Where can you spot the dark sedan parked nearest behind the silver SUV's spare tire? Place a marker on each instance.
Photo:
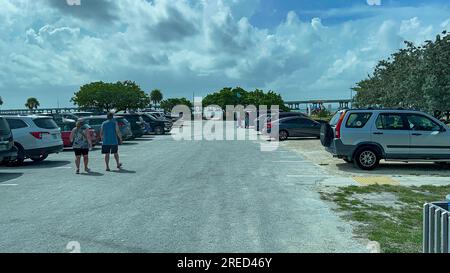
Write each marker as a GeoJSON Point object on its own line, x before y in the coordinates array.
{"type": "Point", "coordinates": [294, 127]}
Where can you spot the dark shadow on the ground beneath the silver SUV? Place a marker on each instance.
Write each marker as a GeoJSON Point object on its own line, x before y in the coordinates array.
{"type": "Point", "coordinates": [429, 169]}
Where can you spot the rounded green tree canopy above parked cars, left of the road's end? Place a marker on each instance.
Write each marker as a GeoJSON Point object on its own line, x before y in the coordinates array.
{"type": "Point", "coordinates": [121, 96]}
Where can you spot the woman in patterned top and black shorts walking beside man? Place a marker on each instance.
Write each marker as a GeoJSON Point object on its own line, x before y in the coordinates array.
{"type": "Point", "coordinates": [81, 143]}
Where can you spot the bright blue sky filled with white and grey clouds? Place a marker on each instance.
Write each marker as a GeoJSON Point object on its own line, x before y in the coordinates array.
{"type": "Point", "coordinates": [303, 49]}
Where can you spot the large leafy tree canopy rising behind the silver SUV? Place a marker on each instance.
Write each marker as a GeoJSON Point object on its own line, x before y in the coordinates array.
{"type": "Point", "coordinates": [414, 77]}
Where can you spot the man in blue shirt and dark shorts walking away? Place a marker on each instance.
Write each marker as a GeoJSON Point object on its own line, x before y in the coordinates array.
{"type": "Point", "coordinates": [111, 138]}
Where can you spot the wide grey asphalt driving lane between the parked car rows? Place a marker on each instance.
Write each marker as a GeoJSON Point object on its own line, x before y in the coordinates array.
{"type": "Point", "coordinates": [173, 196]}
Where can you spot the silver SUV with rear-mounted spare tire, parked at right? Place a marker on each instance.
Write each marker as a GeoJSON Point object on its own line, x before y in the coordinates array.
{"type": "Point", "coordinates": [367, 136]}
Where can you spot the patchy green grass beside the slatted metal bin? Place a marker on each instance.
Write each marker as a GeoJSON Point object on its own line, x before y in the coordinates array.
{"type": "Point", "coordinates": [397, 224]}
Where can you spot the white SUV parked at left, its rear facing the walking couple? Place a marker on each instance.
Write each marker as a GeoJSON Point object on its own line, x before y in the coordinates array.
{"type": "Point", "coordinates": [35, 137]}
